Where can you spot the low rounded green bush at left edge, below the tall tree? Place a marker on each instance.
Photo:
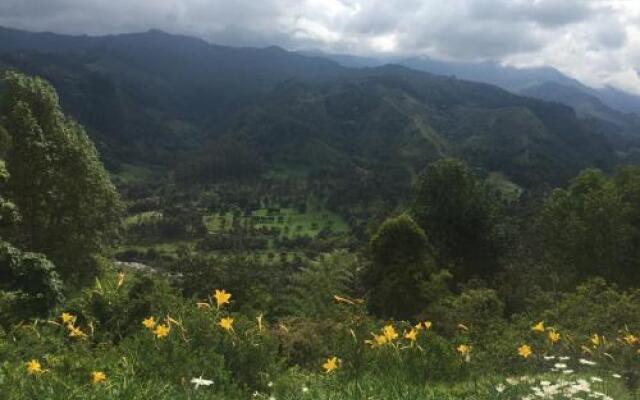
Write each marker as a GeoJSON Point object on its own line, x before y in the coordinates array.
{"type": "Point", "coordinates": [29, 284]}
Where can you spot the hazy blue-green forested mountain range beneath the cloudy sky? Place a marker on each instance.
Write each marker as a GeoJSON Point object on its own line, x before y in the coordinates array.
{"type": "Point", "coordinates": [181, 103]}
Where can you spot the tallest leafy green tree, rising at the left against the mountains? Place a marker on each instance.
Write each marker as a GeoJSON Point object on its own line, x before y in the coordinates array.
{"type": "Point", "coordinates": [68, 205]}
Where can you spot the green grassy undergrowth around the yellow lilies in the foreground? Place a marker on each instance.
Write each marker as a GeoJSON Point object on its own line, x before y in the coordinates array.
{"type": "Point", "coordinates": [246, 361]}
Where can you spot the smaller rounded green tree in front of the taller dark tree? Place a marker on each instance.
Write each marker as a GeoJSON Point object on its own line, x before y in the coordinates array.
{"type": "Point", "coordinates": [401, 266]}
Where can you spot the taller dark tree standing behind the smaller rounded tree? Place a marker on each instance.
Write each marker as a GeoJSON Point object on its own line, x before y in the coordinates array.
{"type": "Point", "coordinates": [459, 215]}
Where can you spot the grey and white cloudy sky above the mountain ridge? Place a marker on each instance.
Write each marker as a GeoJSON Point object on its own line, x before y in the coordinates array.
{"type": "Point", "coordinates": [596, 41]}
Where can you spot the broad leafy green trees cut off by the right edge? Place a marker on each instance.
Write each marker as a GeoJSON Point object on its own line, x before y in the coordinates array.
{"type": "Point", "coordinates": [591, 228]}
